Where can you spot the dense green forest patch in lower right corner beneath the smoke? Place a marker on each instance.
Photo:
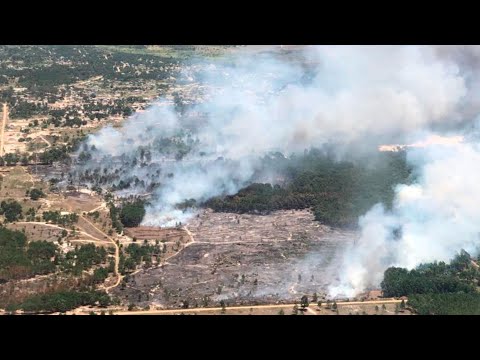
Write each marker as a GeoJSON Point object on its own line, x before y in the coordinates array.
{"type": "Point", "coordinates": [437, 288]}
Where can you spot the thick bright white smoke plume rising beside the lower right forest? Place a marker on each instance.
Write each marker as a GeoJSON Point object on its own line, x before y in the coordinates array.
{"type": "Point", "coordinates": [434, 218]}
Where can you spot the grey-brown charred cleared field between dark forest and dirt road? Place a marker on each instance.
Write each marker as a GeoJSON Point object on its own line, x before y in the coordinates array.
{"type": "Point", "coordinates": [243, 259]}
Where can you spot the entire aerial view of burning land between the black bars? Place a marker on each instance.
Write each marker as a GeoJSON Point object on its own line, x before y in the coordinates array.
{"type": "Point", "coordinates": [239, 180]}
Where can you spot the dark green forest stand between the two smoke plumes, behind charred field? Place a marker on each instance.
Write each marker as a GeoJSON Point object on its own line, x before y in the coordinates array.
{"type": "Point", "coordinates": [338, 192]}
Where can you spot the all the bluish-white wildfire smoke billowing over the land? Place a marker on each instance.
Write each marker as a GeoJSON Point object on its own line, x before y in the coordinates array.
{"type": "Point", "coordinates": [356, 97]}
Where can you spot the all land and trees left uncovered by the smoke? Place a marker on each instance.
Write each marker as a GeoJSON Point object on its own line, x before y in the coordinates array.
{"type": "Point", "coordinates": [81, 249]}
